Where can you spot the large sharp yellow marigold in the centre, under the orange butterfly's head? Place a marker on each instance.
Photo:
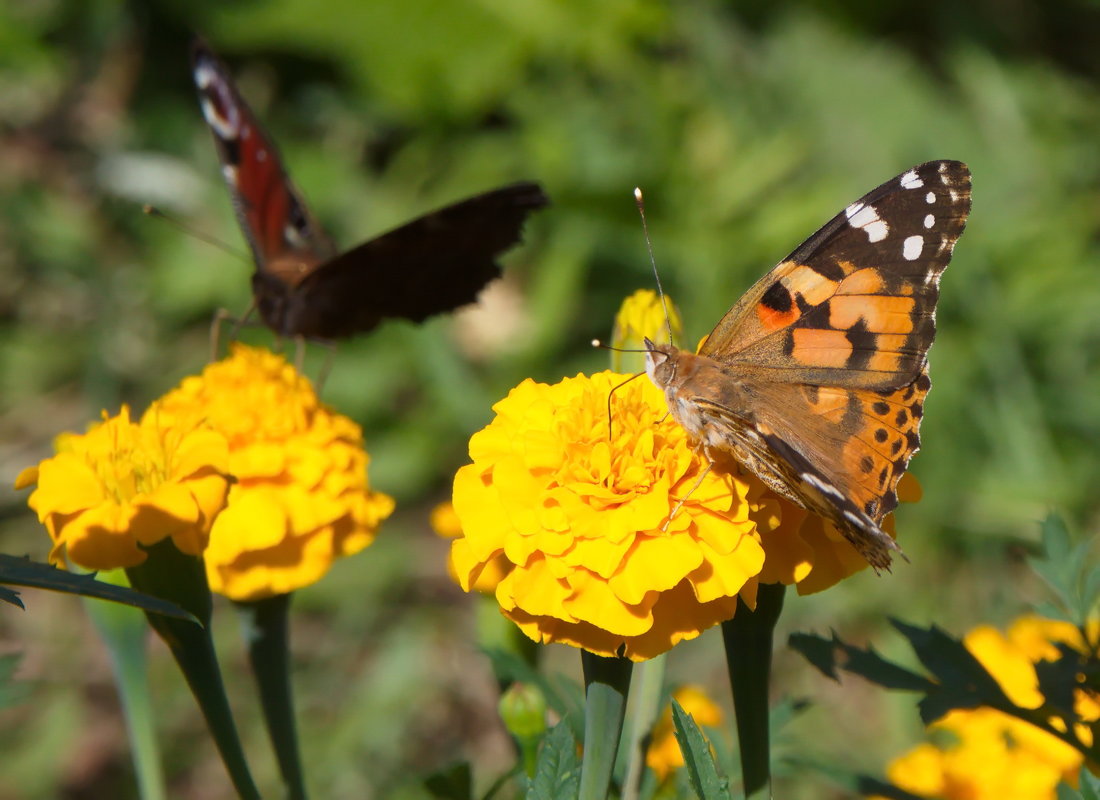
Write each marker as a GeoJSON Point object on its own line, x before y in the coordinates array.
{"type": "Point", "coordinates": [580, 512]}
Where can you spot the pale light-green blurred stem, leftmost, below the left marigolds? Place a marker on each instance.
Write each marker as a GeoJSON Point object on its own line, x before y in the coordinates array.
{"type": "Point", "coordinates": [124, 630]}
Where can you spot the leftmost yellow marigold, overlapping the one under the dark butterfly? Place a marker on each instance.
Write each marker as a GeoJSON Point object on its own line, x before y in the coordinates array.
{"type": "Point", "coordinates": [124, 486]}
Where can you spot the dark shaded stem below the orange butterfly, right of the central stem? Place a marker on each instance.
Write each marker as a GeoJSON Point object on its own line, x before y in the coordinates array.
{"type": "Point", "coordinates": [749, 640]}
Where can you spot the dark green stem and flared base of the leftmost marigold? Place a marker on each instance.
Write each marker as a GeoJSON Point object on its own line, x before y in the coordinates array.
{"type": "Point", "coordinates": [171, 575]}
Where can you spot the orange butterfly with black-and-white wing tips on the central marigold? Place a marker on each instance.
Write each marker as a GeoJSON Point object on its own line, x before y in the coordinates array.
{"type": "Point", "coordinates": [816, 380]}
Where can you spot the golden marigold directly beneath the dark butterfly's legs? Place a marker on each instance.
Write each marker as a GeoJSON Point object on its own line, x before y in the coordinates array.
{"type": "Point", "coordinates": [302, 497]}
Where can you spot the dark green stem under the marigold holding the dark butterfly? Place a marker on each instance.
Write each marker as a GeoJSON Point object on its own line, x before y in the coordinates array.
{"type": "Point", "coordinates": [267, 631]}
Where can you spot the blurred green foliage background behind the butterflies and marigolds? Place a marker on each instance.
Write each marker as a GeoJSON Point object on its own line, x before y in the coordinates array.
{"type": "Point", "coordinates": [747, 125]}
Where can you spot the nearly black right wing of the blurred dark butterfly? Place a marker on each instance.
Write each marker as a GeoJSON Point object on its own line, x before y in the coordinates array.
{"type": "Point", "coordinates": [434, 265]}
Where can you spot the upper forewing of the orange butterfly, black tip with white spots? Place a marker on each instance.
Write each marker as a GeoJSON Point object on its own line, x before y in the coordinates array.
{"type": "Point", "coordinates": [811, 320]}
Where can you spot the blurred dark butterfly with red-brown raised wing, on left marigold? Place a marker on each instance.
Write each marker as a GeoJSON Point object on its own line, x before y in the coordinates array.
{"type": "Point", "coordinates": [302, 287]}
